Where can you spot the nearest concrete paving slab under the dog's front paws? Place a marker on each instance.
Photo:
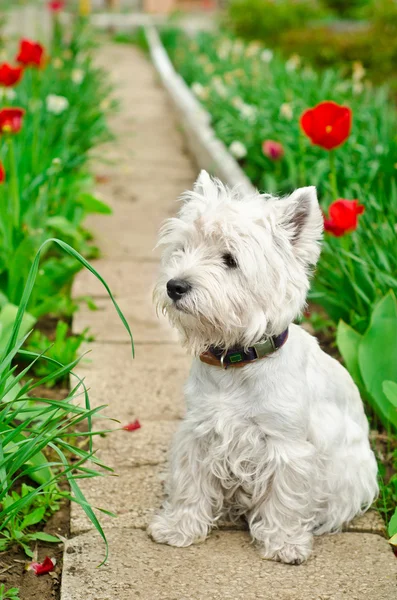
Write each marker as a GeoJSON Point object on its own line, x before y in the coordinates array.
{"type": "Point", "coordinates": [348, 566]}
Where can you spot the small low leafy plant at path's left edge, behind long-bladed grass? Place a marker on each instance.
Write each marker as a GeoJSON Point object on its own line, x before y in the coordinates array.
{"type": "Point", "coordinates": [64, 349]}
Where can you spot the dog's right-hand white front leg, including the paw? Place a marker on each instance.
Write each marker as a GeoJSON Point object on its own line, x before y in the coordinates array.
{"type": "Point", "coordinates": [282, 521]}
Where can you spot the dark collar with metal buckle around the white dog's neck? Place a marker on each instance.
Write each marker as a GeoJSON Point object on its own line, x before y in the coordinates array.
{"type": "Point", "coordinates": [238, 357]}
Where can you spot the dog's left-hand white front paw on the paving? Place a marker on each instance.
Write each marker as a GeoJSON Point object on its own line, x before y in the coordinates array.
{"type": "Point", "coordinates": [172, 532]}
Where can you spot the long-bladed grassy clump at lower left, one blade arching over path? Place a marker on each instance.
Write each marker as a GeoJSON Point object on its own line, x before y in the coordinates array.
{"type": "Point", "coordinates": [39, 436]}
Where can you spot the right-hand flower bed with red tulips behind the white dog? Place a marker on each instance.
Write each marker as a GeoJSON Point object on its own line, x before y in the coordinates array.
{"type": "Point", "coordinates": [289, 126]}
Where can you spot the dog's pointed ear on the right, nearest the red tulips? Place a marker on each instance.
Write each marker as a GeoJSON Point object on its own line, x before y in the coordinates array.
{"type": "Point", "coordinates": [304, 219]}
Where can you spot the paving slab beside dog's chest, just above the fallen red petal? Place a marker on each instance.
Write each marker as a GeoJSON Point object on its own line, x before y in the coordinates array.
{"type": "Point", "coordinates": [150, 387]}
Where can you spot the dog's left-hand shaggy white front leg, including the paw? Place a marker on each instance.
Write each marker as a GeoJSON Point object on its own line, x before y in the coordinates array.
{"type": "Point", "coordinates": [194, 496]}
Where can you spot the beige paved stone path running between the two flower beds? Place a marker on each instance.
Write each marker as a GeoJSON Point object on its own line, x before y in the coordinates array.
{"type": "Point", "coordinates": [148, 170]}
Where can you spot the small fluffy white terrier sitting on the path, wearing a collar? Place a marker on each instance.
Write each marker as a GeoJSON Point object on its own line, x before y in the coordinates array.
{"type": "Point", "coordinates": [283, 440]}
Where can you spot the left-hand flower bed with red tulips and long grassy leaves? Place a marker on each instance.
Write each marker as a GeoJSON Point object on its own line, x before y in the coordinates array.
{"type": "Point", "coordinates": [54, 104]}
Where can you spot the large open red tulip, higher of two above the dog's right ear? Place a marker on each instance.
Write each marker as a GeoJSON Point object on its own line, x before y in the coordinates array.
{"type": "Point", "coordinates": [327, 125]}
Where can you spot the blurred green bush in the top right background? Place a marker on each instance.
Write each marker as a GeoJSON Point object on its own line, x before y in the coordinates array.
{"type": "Point", "coordinates": [293, 28]}
